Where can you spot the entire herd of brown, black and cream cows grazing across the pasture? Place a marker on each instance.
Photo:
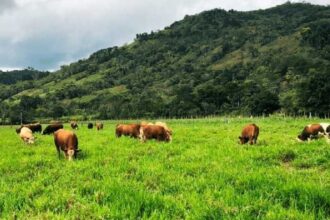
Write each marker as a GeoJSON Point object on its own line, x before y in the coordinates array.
{"type": "Point", "coordinates": [67, 141]}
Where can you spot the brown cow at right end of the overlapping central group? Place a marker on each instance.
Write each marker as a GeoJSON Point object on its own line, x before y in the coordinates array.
{"type": "Point", "coordinates": [154, 132]}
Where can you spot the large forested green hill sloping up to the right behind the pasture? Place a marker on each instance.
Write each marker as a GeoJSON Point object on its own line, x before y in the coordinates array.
{"type": "Point", "coordinates": [215, 62]}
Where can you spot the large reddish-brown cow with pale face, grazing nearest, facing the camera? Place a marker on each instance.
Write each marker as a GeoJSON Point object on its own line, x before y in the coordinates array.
{"type": "Point", "coordinates": [66, 141]}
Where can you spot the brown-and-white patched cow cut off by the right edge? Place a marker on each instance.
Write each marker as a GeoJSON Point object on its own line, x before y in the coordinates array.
{"type": "Point", "coordinates": [314, 131]}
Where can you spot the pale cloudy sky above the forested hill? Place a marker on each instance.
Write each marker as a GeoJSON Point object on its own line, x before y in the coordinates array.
{"type": "Point", "coordinates": [45, 34]}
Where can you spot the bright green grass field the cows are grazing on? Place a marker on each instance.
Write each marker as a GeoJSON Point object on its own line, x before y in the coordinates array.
{"type": "Point", "coordinates": [203, 174]}
